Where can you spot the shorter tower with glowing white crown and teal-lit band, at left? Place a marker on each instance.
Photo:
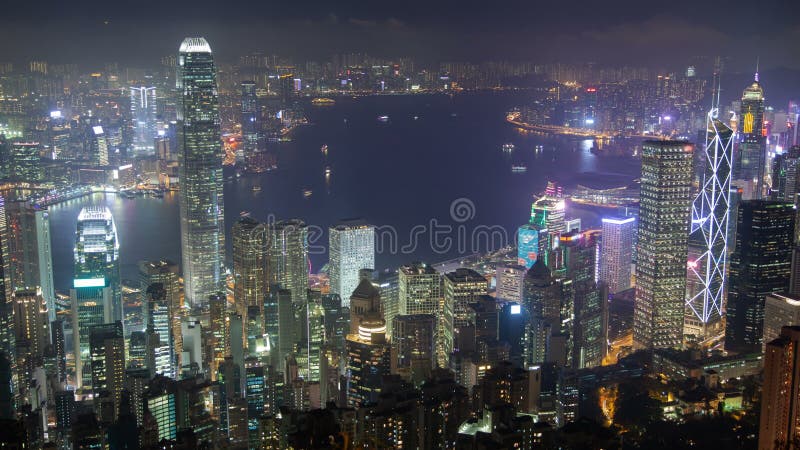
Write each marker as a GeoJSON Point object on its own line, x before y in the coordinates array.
{"type": "Point", "coordinates": [95, 295]}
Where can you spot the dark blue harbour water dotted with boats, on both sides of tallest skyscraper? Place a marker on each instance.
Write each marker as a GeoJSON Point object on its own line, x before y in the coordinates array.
{"type": "Point", "coordinates": [435, 157]}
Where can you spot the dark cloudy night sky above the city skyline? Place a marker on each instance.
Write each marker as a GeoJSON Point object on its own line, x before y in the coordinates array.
{"type": "Point", "coordinates": [628, 31]}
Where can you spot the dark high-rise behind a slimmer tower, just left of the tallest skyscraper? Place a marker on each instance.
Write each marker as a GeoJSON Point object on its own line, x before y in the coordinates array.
{"type": "Point", "coordinates": [167, 274]}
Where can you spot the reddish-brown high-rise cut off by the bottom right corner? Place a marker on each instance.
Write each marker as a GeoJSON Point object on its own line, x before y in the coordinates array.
{"type": "Point", "coordinates": [780, 418]}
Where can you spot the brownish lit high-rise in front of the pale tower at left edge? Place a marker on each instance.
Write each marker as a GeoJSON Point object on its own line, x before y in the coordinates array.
{"type": "Point", "coordinates": [32, 331]}
